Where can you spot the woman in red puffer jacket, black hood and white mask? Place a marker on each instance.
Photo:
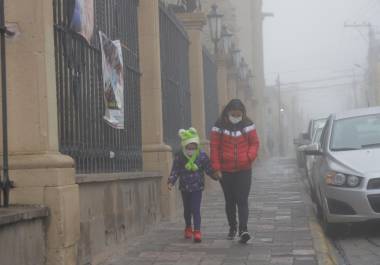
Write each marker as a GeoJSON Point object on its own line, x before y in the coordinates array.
{"type": "Point", "coordinates": [234, 147]}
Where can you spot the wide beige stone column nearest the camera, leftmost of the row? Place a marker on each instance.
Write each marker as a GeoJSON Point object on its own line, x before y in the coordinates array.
{"type": "Point", "coordinates": [40, 173]}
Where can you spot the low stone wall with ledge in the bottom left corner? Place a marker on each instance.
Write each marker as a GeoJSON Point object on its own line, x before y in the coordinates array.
{"type": "Point", "coordinates": [22, 235]}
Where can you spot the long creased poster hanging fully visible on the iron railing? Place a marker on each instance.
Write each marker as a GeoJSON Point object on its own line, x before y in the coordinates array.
{"type": "Point", "coordinates": [113, 81]}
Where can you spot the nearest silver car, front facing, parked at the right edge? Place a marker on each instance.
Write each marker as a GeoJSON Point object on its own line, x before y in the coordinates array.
{"type": "Point", "coordinates": [346, 173]}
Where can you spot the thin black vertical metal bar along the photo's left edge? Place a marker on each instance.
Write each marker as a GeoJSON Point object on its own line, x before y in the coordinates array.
{"type": "Point", "coordinates": [6, 183]}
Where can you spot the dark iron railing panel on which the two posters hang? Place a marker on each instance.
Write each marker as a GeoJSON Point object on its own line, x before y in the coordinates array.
{"type": "Point", "coordinates": [83, 133]}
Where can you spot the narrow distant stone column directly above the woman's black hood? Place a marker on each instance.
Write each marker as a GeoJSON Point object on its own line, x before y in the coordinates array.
{"type": "Point", "coordinates": [222, 72]}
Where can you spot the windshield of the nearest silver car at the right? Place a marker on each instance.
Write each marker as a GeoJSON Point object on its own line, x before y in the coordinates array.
{"type": "Point", "coordinates": [356, 133]}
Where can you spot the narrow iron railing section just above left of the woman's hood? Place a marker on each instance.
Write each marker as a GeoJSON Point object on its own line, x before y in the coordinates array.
{"type": "Point", "coordinates": [211, 90]}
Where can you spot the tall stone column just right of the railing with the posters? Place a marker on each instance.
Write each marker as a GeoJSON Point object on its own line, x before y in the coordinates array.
{"type": "Point", "coordinates": [157, 156]}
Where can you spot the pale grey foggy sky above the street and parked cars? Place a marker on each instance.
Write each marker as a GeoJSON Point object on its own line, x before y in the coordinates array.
{"type": "Point", "coordinates": [306, 41]}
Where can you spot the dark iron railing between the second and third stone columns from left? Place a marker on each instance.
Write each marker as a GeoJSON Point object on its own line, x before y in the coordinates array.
{"type": "Point", "coordinates": [175, 76]}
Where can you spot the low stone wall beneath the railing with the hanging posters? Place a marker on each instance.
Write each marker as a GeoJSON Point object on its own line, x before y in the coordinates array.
{"type": "Point", "coordinates": [113, 208]}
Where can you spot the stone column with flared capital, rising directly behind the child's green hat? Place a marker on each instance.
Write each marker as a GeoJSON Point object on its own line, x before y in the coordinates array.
{"type": "Point", "coordinates": [194, 23]}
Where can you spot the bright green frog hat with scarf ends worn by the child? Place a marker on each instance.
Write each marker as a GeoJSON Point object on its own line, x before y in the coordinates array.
{"type": "Point", "coordinates": [188, 137]}
